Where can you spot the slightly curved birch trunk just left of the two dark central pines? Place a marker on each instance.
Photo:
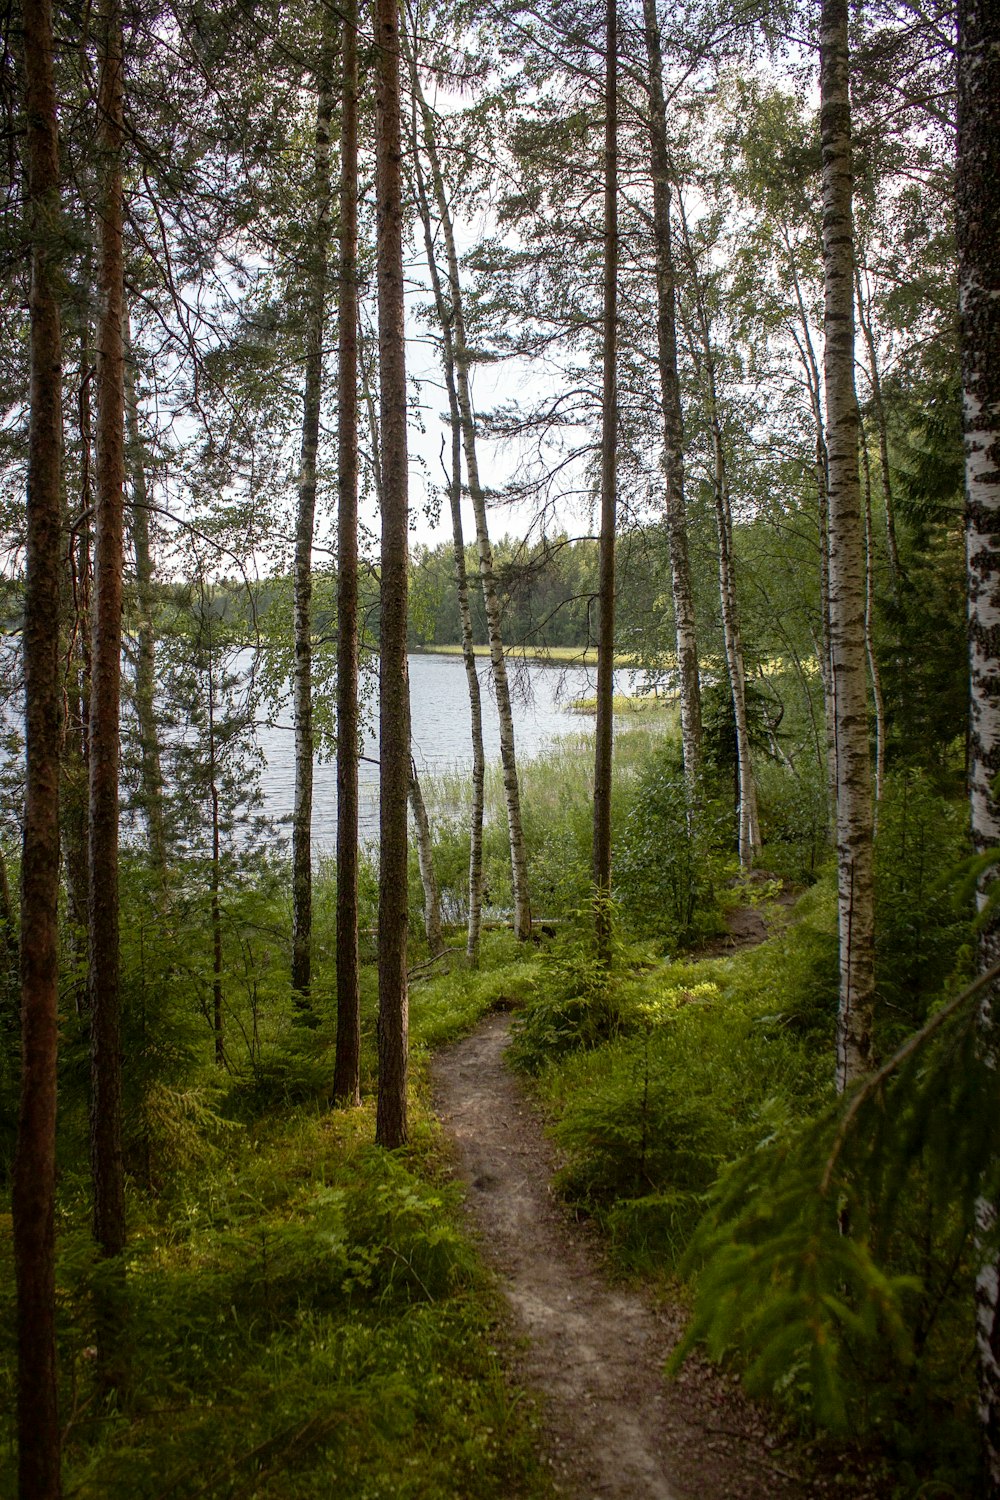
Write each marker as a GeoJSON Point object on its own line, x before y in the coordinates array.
{"type": "Point", "coordinates": [305, 523]}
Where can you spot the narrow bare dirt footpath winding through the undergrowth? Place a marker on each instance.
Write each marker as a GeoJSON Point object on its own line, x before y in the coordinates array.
{"type": "Point", "coordinates": [591, 1349]}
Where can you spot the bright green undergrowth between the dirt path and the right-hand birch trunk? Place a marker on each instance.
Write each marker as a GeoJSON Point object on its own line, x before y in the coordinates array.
{"type": "Point", "coordinates": [659, 1075]}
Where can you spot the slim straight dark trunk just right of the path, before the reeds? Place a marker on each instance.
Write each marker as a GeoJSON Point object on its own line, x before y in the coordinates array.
{"type": "Point", "coordinates": [609, 506]}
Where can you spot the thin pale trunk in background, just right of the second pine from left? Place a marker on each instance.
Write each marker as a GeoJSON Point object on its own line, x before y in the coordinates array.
{"type": "Point", "coordinates": [146, 653]}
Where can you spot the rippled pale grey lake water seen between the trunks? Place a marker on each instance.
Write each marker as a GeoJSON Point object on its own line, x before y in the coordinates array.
{"type": "Point", "coordinates": [440, 734]}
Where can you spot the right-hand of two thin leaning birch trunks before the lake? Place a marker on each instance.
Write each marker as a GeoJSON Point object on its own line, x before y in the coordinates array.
{"type": "Point", "coordinates": [491, 598]}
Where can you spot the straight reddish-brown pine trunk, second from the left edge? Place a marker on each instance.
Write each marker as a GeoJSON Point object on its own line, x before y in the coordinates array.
{"type": "Point", "coordinates": [106, 1108]}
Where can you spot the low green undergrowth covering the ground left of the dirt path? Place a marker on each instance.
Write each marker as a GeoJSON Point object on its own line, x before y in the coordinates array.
{"type": "Point", "coordinates": [305, 1312]}
